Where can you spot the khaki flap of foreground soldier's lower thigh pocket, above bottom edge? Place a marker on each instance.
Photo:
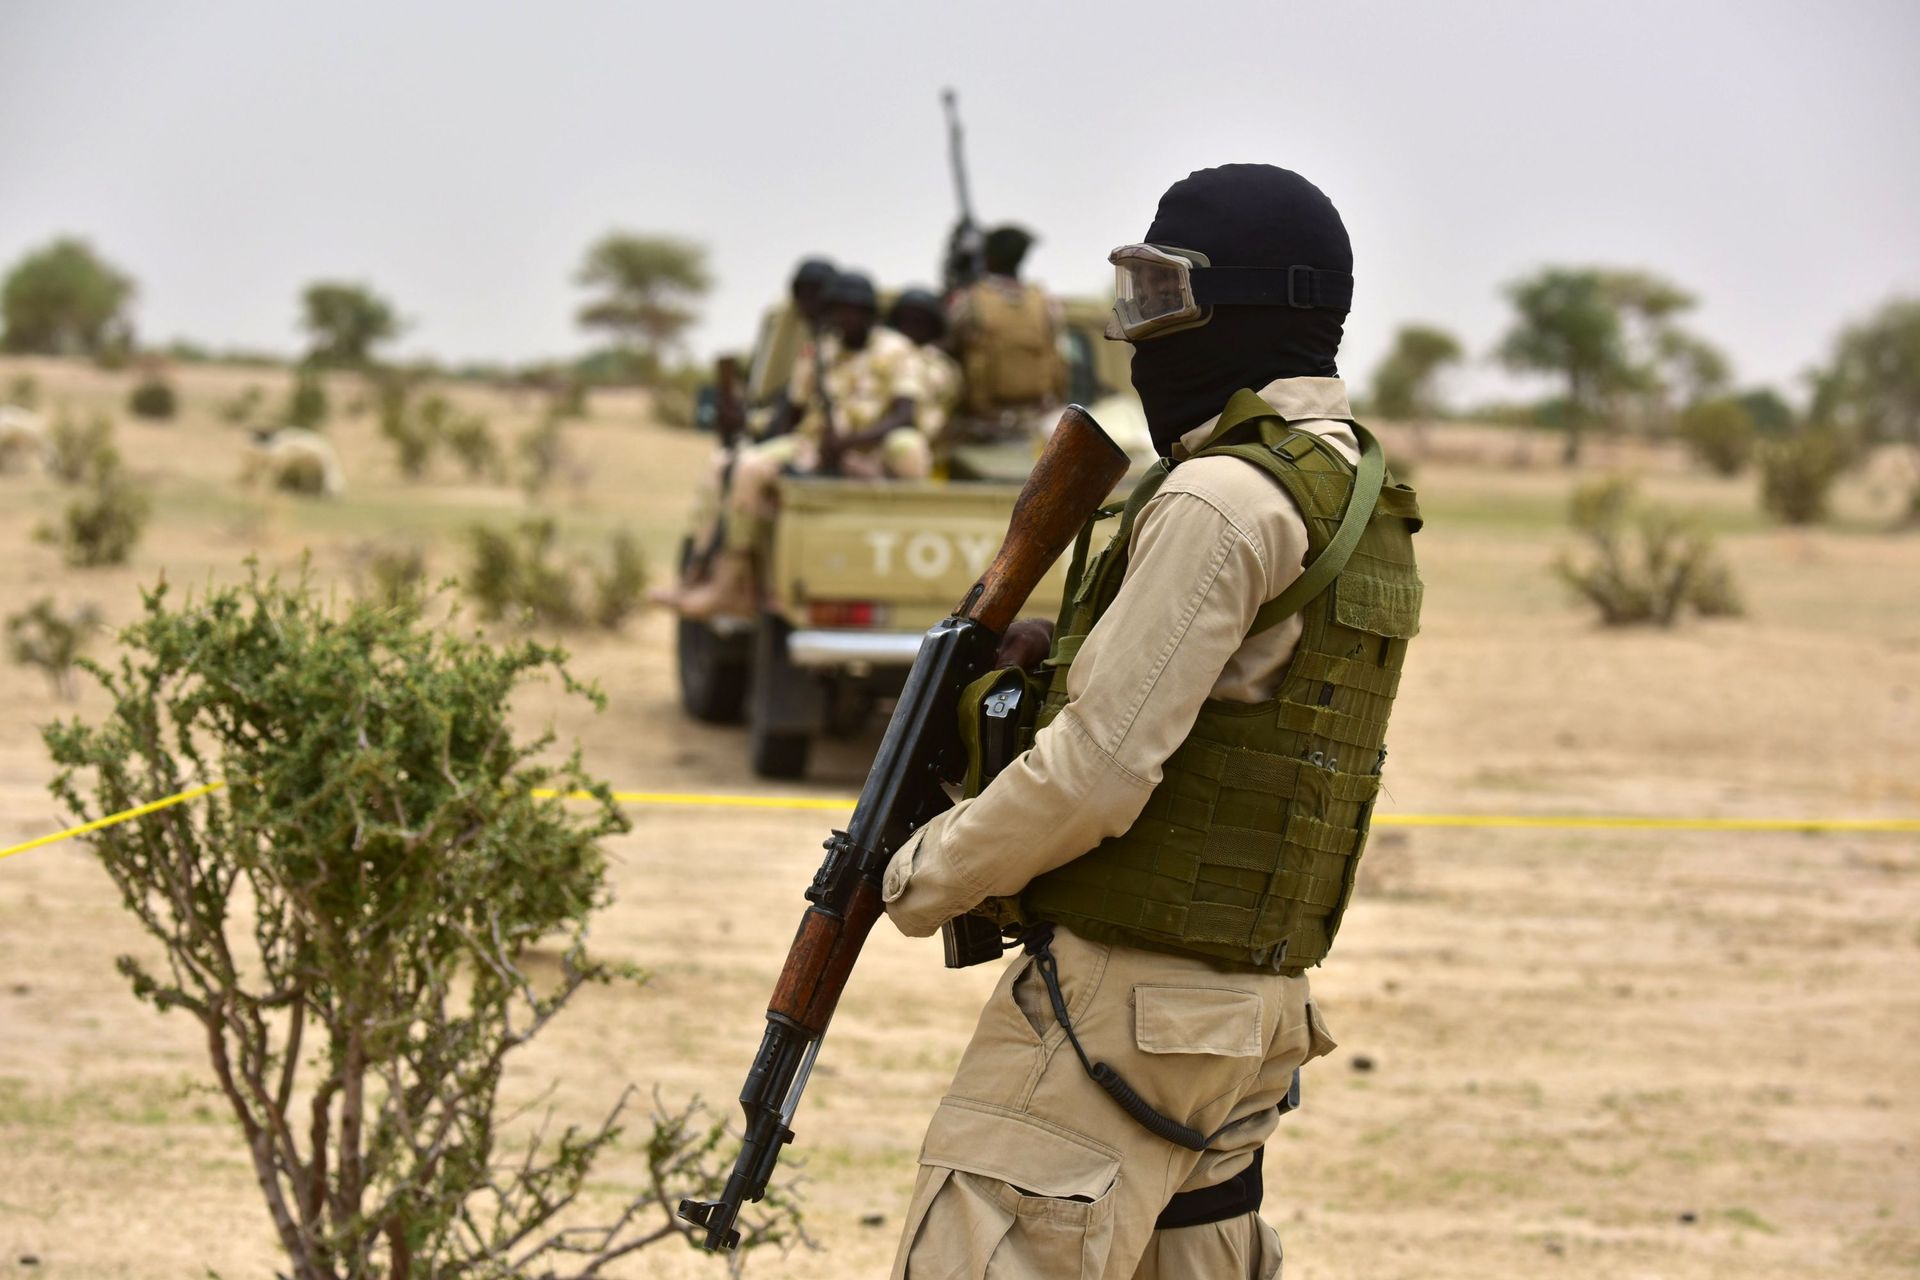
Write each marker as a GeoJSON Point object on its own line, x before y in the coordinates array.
{"type": "Point", "coordinates": [1020, 1150]}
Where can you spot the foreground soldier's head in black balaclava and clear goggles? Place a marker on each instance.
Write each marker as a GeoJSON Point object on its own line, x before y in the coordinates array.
{"type": "Point", "coordinates": [1245, 277]}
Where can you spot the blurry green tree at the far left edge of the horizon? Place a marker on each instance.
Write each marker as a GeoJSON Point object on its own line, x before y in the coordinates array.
{"type": "Point", "coordinates": [66, 300]}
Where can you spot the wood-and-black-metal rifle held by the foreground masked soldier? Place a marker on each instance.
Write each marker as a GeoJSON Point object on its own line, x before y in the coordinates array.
{"type": "Point", "coordinates": [903, 792]}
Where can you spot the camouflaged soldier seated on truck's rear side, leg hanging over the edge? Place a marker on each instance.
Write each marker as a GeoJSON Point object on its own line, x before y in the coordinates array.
{"type": "Point", "coordinates": [861, 421]}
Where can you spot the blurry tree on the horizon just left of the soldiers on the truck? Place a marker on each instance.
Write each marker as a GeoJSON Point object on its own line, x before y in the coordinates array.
{"type": "Point", "coordinates": [648, 287]}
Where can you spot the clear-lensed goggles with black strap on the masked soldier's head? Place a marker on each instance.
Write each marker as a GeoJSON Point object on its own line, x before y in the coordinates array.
{"type": "Point", "coordinates": [1161, 291]}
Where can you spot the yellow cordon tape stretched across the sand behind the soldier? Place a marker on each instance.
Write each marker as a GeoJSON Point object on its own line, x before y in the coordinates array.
{"type": "Point", "coordinates": [840, 805]}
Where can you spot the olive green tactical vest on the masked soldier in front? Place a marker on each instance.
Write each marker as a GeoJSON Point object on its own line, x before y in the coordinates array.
{"type": "Point", "coordinates": [1247, 849]}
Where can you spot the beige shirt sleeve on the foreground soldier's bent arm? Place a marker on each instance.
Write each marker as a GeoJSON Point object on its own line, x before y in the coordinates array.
{"type": "Point", "coordinates": [1195, 581]}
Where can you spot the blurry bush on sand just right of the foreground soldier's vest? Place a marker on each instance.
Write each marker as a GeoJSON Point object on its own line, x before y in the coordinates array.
{"type": "Point", "coordinates": [1644, 563]}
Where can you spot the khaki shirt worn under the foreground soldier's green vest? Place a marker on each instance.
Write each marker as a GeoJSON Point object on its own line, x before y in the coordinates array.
{"type": "Point", "coordinates": [1216, 544]}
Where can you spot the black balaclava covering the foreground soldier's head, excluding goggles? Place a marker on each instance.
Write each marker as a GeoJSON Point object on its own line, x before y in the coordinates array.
{"type": "Point", "coordinates": [1241, 216]}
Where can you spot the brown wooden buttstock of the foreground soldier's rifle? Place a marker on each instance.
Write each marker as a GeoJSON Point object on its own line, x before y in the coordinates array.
{"type": "Point", "coordinates": [1078, 469]}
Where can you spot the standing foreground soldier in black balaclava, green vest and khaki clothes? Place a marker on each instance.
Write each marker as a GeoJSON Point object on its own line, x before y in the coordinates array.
{"type": "Point", "coordinates": [1178, 845]}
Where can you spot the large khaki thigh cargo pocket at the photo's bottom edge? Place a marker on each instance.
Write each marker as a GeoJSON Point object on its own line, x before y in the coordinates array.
{"type": "Point", "coordinates": [1007, 1197]}
